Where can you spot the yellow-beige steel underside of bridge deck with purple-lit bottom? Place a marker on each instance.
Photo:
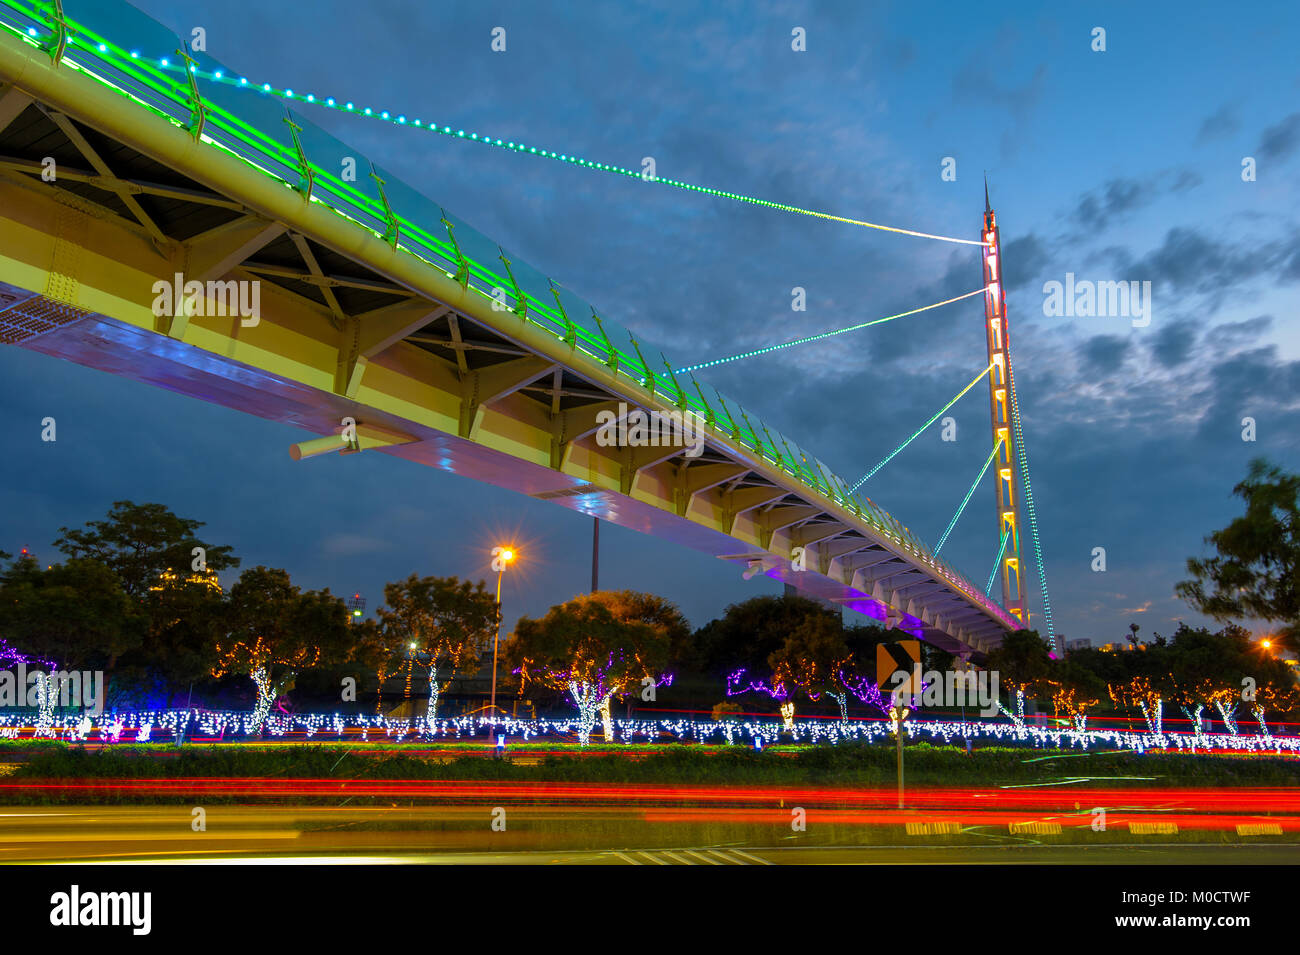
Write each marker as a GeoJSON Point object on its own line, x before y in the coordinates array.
{"type": "Point", "coordinates": [352, 327]}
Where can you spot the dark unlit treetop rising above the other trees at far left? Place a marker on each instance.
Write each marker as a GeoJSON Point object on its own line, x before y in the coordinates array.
{"type": "Point", "coordinates": [141, 542]}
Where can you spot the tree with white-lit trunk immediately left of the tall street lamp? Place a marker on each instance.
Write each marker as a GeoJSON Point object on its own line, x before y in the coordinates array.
{"type": "Point", "coordinates": [441, 622]}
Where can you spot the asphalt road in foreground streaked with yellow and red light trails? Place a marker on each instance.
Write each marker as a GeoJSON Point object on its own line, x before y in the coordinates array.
{"type": "Point", "coordinates": [565, 836]}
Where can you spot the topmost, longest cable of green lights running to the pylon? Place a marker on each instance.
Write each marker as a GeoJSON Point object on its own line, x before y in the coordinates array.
{"type": "Point", "coordinates": [401, 120]}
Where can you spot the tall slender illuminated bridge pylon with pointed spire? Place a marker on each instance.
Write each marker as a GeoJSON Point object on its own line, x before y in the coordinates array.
{"type": "Point", "coordinates": [1000, 409]}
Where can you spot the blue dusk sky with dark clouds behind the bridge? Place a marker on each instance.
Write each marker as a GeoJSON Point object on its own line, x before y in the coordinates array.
{"type": "Point", "coordinates": [1116, 166]}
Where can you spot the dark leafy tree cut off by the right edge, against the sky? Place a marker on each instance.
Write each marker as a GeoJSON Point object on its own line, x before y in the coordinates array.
{"type": "Point", "coordinates": [1256, 568]}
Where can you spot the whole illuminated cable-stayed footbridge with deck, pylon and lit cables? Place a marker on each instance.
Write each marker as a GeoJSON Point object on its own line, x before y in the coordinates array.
{"type": "Point", "coordinates": [146, 189]}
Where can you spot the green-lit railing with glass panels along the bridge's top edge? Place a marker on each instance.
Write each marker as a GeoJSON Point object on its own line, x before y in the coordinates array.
{"type": "Point", "coordinates": [157, 71]}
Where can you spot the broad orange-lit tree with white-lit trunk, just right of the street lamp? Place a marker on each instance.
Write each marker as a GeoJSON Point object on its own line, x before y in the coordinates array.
{"type": "Point", "coordinates": [588, 649]}
